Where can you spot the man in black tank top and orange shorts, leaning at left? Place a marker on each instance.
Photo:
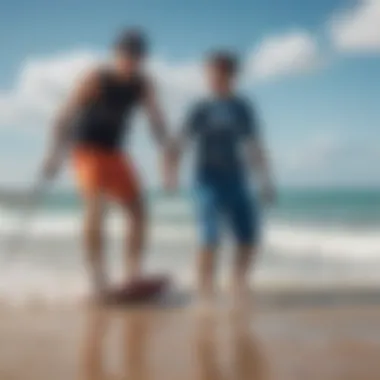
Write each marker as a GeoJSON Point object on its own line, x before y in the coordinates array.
{"type": "Point", "coordinates": [95, 120]}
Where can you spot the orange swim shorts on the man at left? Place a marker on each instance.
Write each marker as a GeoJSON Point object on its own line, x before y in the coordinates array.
{"type": "Point", "coordinates": [105, 172]}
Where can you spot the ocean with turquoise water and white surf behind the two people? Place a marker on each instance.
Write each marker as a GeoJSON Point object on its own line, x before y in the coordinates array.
{"type": "Point", "coordinates": [317, 237]}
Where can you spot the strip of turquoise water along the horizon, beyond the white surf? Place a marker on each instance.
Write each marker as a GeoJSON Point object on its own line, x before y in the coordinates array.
{"type": "Point", "coordinates": [336, 206]}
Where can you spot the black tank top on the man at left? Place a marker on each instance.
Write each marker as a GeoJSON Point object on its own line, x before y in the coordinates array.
{"type": "Point", "coordinates": [104, 122]}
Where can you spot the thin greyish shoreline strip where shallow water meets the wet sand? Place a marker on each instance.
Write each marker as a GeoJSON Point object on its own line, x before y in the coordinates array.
{"type": "Point", "coordinates": [281, 294]}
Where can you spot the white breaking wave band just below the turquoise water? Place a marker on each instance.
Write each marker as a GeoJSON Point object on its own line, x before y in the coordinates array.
{"type": "Point", "coordinates": [285, 239]}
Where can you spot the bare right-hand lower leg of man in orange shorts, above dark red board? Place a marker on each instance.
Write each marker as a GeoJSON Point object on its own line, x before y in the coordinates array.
{"type": "Point", "coordinates": [135, 240]}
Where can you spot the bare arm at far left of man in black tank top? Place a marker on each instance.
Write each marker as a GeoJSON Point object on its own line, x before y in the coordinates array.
{"type": "Point", "coordinates": [86, 91]}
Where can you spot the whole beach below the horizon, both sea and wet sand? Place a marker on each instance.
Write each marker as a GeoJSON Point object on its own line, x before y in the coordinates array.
{"type": "Point", "coordinates": [315, 314]}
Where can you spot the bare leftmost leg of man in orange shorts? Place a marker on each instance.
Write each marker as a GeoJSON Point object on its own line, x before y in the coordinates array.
{"type": "Point", "coordinates": [93, 240]}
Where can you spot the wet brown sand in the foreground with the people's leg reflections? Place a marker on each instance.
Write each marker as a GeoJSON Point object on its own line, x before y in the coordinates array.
{"type": "Point", "coordinates": [339, 341]}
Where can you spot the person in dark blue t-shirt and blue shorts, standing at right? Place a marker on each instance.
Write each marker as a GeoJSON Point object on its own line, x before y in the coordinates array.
{"type": "Point", "coordinates": [219, 126]}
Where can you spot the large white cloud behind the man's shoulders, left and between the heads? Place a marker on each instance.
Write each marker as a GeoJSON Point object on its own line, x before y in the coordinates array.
{"type": "Point", "coordinates": [43, 83]}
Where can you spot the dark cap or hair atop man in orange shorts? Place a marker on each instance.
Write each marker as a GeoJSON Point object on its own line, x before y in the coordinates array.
{"type": "Point", "coordinates": [132, 41]}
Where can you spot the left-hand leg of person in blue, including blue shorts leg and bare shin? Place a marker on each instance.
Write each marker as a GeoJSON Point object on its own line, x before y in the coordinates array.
{"type": "Point", "coordinates": [209, 226]}
